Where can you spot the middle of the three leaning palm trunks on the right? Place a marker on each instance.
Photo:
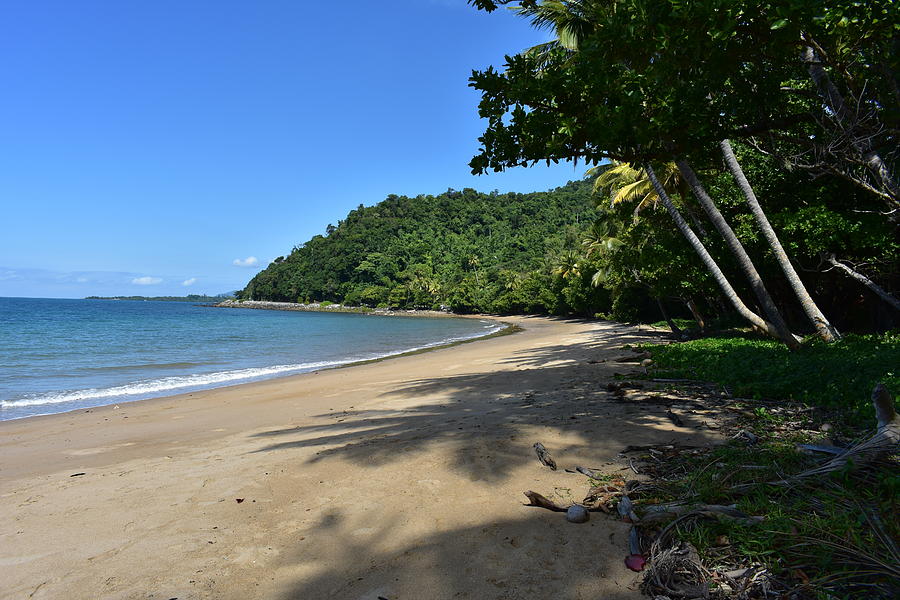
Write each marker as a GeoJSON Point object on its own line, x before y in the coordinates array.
{"type": "Point", "coordinates": [756, 282]}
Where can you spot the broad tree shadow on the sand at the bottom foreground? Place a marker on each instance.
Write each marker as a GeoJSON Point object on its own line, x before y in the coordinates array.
{"type": "Point", "coordinates": [535, 556]}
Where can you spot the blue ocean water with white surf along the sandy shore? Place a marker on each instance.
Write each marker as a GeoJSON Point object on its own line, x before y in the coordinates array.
{"type": "Point", "coordinates": [62, 355]}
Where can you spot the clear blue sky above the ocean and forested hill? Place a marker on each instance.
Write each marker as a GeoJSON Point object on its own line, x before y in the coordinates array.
{"type": "Point", "coordinates": [175, 147]}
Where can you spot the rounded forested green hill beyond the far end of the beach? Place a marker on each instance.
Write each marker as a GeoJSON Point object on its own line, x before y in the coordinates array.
{"type": "Point", "coordinates": [467, 250]}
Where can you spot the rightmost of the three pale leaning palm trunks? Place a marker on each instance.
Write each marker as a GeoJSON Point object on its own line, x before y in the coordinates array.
{"type": "Point", "coordinates": [823, 327]}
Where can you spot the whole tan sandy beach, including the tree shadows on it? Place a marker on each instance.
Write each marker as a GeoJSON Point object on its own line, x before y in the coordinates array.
{"type": "Point", "coordinates": [398, 480]}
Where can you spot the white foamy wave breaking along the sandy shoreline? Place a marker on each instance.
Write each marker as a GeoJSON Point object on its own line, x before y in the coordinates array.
{"type": "Point", "coordinates": [151, 387]}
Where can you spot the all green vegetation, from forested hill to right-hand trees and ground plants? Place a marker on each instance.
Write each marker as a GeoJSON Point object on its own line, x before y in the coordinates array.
{"type": "Point", "coordinates": [744, 192]}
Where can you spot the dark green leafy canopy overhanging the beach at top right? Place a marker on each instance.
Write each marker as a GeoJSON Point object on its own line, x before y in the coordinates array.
{"type": "Point", "coordinates": [655, 79]}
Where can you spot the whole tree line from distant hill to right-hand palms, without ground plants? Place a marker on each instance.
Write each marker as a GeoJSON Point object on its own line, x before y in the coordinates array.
{"type": "Point", "coordinates": [745, 160]}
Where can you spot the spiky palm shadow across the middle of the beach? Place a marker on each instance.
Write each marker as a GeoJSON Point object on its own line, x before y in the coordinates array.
{"type": "Point", "coordinates": [459, 410]}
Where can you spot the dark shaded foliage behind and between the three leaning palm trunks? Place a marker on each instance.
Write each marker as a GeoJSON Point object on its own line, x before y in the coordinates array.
{"type": "Point", "coordinates": [814, 218]}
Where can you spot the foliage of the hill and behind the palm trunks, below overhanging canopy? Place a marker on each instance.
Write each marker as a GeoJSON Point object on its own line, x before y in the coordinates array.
{"type": "Point", "coordinates": [539, 252]}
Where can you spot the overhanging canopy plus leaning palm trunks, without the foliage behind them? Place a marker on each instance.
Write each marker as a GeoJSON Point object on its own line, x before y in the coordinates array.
{"type": "Point", "coordinates": [653, 84]}
